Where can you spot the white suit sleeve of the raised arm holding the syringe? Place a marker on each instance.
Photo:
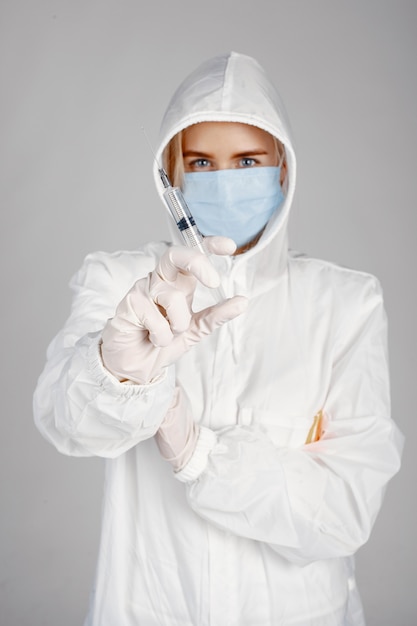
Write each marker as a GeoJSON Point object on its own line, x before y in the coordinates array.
{"type": "Point", "coordinates": [78, 405]}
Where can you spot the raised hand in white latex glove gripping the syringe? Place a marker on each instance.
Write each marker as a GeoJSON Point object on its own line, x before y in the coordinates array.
{"type": "Point", "coordinates": [154, 323]}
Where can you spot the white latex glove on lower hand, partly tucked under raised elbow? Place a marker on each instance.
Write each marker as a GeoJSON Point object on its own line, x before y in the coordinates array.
{"type": "Point", "coordinates": [177, 436]}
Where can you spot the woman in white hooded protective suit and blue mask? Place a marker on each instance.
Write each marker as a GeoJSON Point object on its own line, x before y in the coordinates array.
{"type": "Point", "coordinates": [271, 408]}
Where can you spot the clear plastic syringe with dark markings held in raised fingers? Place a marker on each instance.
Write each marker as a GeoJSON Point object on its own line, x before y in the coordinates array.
{"type": "Point", "coordinates": [185, 222]}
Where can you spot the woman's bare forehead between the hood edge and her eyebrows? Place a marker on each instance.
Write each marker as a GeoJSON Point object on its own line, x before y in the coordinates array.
{"type": "Point", "coordinates": [226, 133]}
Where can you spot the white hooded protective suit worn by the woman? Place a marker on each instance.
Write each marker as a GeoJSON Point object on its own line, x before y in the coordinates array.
{"type": "Point", "coordinates": [258, 528]}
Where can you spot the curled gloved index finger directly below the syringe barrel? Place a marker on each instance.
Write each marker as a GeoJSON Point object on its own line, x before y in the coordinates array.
{"type": "Point", "coordinates": [179, 260]}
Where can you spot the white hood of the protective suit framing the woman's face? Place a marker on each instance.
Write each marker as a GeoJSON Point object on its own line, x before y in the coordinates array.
{"type": "Point", "coordinates": [234, 88]}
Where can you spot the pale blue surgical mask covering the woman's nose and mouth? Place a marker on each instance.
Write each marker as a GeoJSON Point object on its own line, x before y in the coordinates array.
{"type": "Point", "coordinates": [235, 203]}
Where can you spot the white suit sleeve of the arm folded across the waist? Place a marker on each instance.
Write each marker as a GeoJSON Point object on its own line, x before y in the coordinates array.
{"type": "Point", "coordinates": [319, 500]}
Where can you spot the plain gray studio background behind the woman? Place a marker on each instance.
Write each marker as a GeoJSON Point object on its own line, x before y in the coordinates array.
{"type": "Point", "coordinates": [78, 80]}
